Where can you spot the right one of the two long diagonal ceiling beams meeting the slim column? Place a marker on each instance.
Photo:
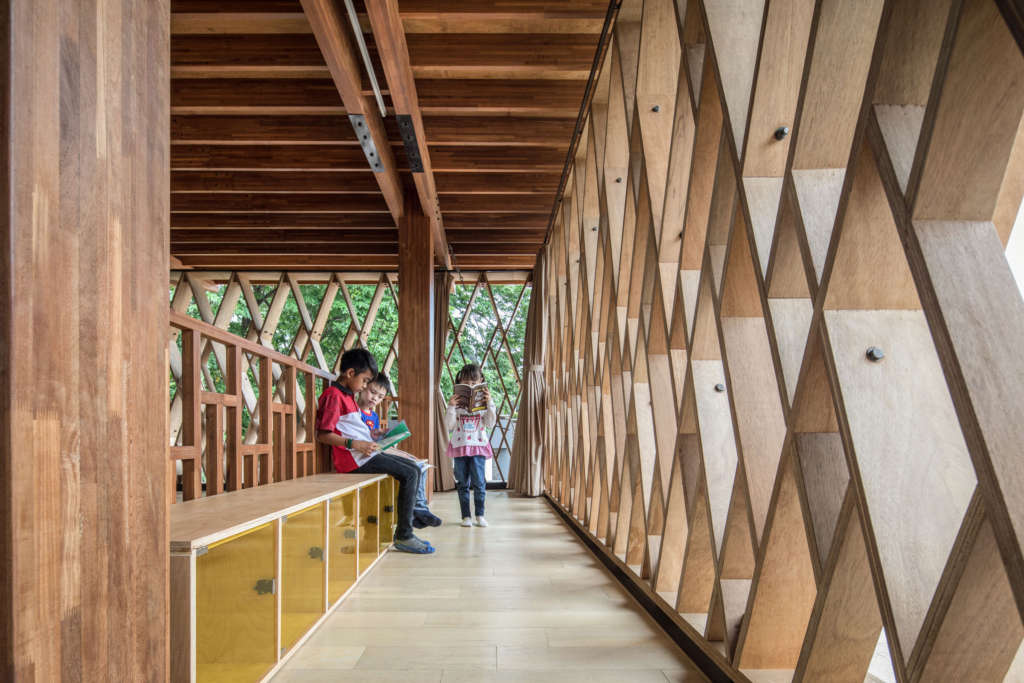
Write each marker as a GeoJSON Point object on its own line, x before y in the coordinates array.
{"type": "Point", "coordinates": [390, 38]}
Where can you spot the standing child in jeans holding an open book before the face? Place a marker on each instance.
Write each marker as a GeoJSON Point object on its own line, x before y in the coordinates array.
{"type": "Point", "coordinates": [470, 445]}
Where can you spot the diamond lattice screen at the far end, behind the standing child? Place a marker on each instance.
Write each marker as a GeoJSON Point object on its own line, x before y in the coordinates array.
{"type": "Point", "coordinates": [487, 326]}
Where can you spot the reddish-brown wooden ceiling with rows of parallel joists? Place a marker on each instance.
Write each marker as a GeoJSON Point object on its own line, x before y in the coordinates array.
{"type": "Point", "coordinates": [267, 170]}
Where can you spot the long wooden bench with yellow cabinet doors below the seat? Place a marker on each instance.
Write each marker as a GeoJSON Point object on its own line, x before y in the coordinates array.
{"type": "Point", "coordinates": [254, 572]}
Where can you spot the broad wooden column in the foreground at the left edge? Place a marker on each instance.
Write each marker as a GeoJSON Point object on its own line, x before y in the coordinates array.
{"type": "Point", "coordinates": [84, 184]}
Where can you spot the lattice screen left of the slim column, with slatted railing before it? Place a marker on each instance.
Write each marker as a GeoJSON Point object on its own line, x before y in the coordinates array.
{"type": "Point", "coordinates": [284, 318]}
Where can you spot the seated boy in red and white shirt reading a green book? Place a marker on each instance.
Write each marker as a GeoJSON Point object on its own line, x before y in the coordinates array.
{"type": "Point", "coordinates": [339, 424]}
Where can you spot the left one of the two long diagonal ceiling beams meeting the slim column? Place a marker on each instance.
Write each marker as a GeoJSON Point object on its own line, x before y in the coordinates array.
{"type": "Point", "coordinates": [332, 37]}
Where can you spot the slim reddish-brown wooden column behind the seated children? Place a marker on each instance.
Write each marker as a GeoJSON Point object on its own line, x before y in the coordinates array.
{"type": "Point", "coordinates": [416, 328]}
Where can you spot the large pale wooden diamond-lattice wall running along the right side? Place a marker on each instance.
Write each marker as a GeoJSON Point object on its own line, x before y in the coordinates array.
{"type": "Point", "coordinates": [784, 365]}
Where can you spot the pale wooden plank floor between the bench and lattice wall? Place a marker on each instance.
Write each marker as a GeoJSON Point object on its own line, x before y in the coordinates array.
{"type": "Point", "coordinates": [522, 601]}
